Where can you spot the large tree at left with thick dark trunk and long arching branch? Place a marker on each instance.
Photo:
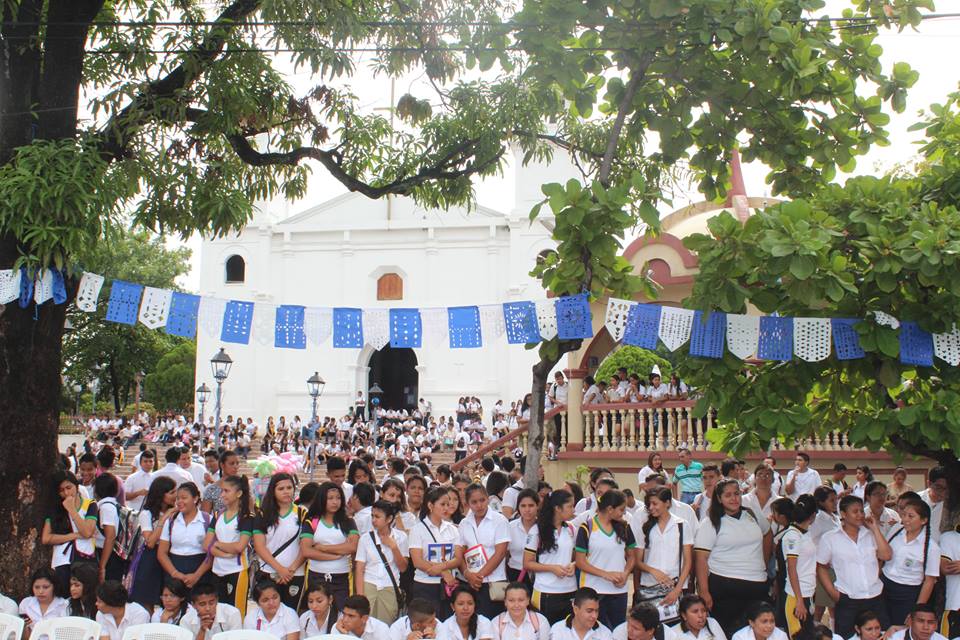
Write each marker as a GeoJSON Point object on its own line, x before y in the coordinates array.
{"type": "Point", "coordinates": [192, 120]}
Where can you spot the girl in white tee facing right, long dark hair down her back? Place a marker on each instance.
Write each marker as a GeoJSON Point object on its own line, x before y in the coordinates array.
{"type": "Point", "coordinates": [549, 556]}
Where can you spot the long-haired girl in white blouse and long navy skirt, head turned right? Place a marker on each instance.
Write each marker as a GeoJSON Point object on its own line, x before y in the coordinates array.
{"type": "Point", "coordinates": [155, 514]}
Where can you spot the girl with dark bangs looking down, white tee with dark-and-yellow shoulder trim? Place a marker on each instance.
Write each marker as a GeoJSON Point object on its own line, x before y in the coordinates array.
{"type": "Point", "coordinates": [605, 553]}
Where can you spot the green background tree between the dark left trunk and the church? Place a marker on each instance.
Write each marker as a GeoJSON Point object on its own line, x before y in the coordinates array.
{"type": "Point", "coordinates": [116, 352]}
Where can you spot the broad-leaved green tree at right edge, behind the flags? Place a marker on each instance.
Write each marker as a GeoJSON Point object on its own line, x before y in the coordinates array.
{"type": "Point", "coordinates": [876, 244]}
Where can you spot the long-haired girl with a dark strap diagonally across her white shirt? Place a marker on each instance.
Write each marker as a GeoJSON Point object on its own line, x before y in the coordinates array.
{"type": "Point", "coordinates": [276, 535]}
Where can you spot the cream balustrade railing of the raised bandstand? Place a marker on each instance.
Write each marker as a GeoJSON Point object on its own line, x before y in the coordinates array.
{"type": "Point", "coordinates": [667, 426]}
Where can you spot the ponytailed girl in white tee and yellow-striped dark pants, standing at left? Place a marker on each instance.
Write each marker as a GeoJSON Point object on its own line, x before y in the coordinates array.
{"type": "Point", "coordinates": [227, 539]}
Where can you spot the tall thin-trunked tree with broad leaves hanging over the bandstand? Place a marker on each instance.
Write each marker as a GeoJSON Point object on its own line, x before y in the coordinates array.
{"type": "Point", "coordinates": [641, 86]}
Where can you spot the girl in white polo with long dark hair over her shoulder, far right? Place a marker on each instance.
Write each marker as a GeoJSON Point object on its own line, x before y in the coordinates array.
{"type": "Point", "coordinates": [911, 574]}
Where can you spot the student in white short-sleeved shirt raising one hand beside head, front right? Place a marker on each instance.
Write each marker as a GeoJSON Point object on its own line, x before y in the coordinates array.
{"type": "Point", "coordinates": [854, 553]}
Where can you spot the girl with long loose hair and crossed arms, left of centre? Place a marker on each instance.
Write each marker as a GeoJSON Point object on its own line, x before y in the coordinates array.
{"type": "Point", "coordinates": [328, 538]}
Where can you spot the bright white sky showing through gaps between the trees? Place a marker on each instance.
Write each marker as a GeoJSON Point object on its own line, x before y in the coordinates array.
{"type": "Point", "coordinates": [931, 50]}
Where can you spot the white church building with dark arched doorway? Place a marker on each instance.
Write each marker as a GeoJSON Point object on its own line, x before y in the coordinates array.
{"type": "Point", "coordinates": [350, 251]}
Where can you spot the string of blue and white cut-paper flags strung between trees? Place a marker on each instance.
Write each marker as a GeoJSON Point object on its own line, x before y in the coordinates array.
{"type": "Point", "coordinates": [775, 338]}
